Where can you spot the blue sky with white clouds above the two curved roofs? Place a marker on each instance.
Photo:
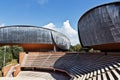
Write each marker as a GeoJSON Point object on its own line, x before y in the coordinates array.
{"type": "Point", "coordinates": [60, 15]}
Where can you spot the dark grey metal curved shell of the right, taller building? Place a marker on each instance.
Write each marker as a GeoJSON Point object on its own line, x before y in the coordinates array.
{"type": "Point", "coordinates": [100, 25]}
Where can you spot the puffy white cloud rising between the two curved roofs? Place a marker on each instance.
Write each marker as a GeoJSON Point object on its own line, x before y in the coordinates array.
{"type": "Point", "coordinates": [67, 30]}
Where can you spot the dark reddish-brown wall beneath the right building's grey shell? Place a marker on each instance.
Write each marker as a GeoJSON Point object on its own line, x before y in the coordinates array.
{"type": "Point", "coordinates": [110, 46]}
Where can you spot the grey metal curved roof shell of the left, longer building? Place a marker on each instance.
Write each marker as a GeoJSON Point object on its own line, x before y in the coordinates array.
{"type": "Point", "coordinates": [26, 34]}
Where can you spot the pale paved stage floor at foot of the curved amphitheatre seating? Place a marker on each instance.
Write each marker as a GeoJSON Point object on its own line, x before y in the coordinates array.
{"type": "Point", "coordinates": [35, 75]}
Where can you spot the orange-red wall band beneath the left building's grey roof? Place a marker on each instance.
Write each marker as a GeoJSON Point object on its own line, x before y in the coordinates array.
{"type": "Point", "coordinates": [33, 47]}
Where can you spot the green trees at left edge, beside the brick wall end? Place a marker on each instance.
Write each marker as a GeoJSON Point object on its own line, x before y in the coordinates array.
{"type": "Point", "coordinates": [9, 52]}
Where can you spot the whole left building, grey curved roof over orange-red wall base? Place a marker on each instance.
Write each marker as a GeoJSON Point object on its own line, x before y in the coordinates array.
{"type": "Point", "coordinates": [33, 38]}
